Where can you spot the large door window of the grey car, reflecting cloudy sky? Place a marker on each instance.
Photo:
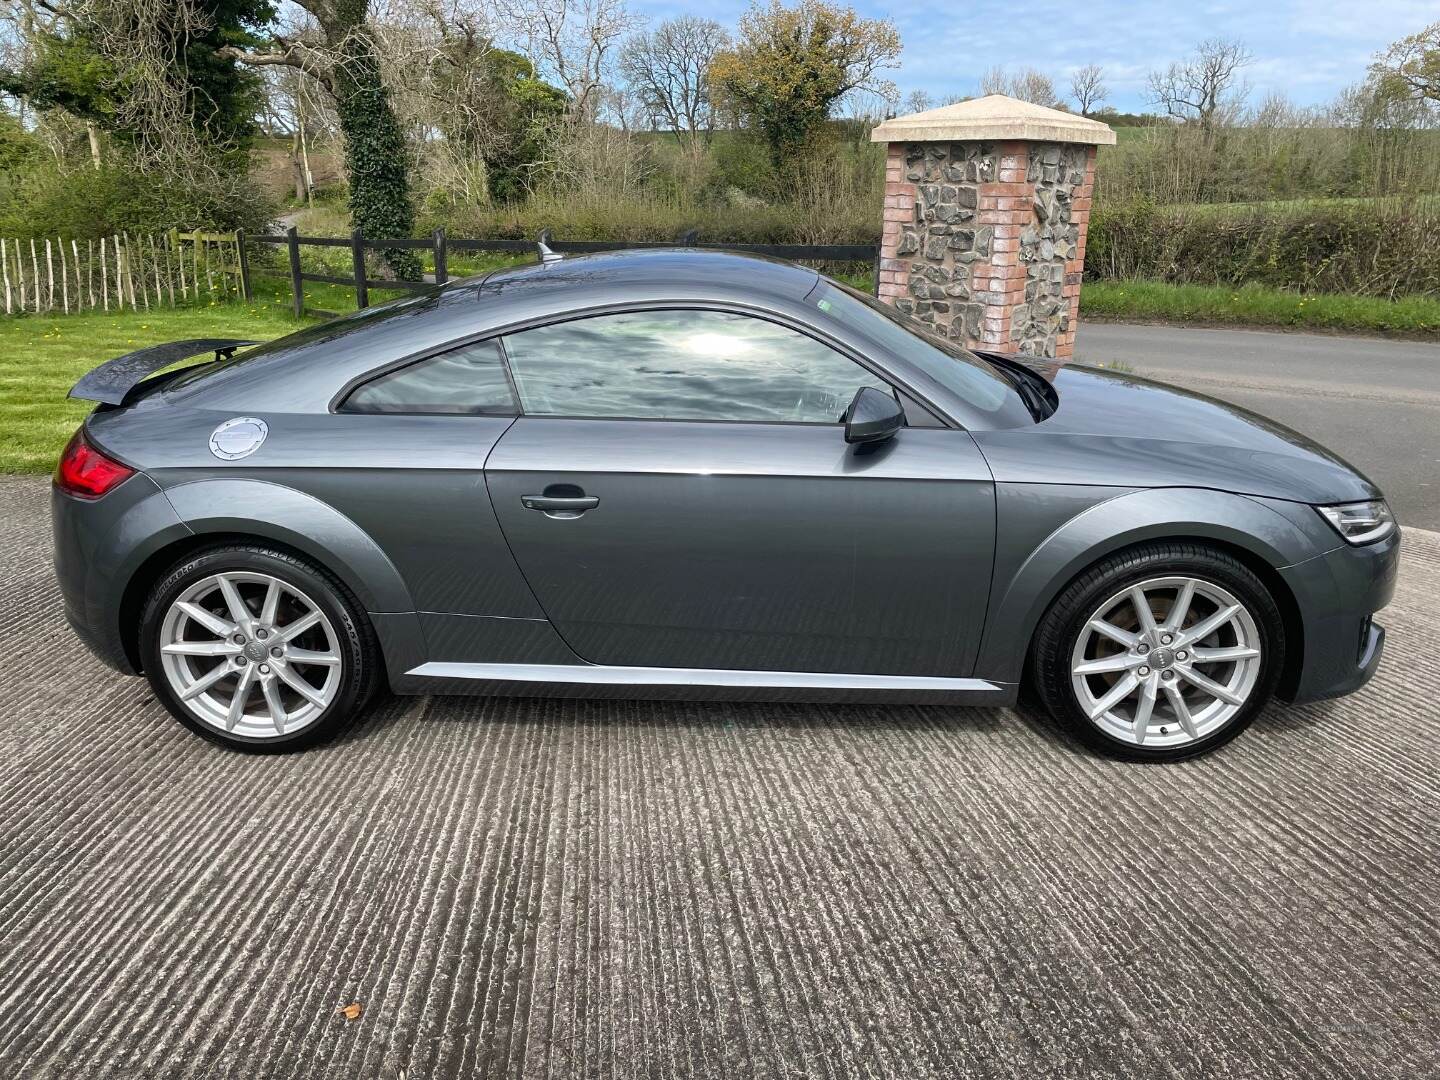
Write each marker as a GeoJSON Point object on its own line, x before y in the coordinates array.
{"type": "Point", "coordinates": [682, 366]}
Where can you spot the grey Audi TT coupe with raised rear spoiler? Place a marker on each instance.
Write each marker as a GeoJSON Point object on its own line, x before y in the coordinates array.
{"type": "Point", "coordinates": [699, 474]}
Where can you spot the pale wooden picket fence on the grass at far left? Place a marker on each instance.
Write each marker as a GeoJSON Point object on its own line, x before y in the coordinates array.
{"type": "Point", "coordinates": [58, 276]}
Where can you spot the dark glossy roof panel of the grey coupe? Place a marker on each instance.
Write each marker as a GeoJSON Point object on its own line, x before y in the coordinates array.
{"type": "Point", "coordinates": [639, 271]}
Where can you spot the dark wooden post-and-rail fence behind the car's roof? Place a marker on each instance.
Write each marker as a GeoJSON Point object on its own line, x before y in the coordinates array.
{"type": "Point", "coordinates": [441, 247]}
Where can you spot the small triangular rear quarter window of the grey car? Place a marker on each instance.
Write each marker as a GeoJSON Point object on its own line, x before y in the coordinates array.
{"type": "Point", "coordinates": [469, 381]}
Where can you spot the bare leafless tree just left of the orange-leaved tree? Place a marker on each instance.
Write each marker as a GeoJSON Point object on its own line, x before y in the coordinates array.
{"type": "Point", "coordinates": [670, 70]}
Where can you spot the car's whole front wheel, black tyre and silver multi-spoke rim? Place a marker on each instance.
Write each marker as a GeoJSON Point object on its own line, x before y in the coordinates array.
{"type": "Point", "coordinates": [1078, 665]}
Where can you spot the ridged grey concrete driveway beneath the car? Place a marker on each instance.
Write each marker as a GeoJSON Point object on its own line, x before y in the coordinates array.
{"type": "Point", "coordinates": [525, 889]}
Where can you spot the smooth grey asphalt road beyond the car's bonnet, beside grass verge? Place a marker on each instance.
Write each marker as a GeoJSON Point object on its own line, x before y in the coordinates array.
{"type": "Point", "coordinates": [1376, 402]}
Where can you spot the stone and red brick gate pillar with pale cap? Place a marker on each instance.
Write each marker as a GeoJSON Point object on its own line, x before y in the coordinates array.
{"type": "Point", "coordinates": [987, 205]}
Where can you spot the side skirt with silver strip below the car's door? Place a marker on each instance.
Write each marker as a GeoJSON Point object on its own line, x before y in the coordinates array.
{"type": "Point", "coordinates": [712, 685]}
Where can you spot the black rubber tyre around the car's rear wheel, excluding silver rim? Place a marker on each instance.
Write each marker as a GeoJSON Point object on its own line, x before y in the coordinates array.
{"type": "Point", "coordinates": [328, 595]}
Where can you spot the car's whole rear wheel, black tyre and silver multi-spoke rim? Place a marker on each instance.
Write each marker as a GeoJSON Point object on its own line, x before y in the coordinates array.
{"type": "Point", "coordinates": [307, 656]}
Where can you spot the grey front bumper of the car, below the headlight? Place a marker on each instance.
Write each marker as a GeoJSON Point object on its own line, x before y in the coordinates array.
{"type": "Point", "coordinates": [1338, 594]}
